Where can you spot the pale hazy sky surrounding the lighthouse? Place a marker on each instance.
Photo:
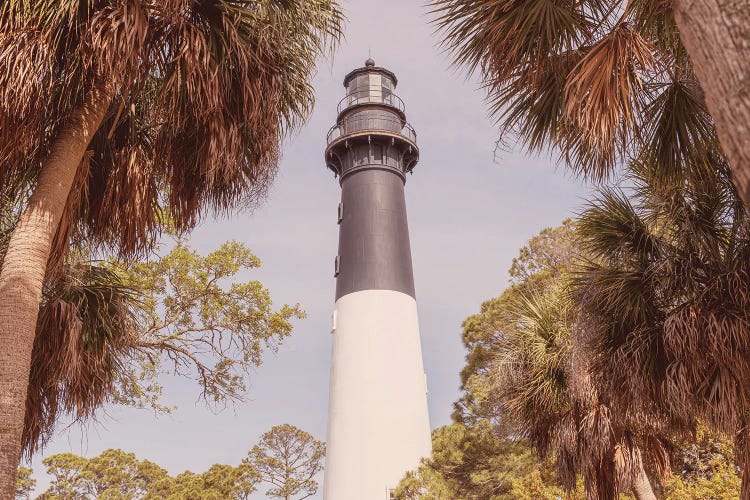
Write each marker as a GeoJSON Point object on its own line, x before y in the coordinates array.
{"type": "Point", "coordinates": [469, 214]}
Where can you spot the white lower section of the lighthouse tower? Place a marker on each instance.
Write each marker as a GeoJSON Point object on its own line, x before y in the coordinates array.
{"type": "Point", "coordinates": [378, 424]}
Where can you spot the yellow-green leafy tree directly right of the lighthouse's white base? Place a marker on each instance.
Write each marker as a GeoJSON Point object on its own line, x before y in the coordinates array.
{"type": "Point", "coordinates": [484, 455]}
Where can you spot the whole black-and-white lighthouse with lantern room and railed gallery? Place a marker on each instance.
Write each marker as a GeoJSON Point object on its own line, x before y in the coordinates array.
{"type": "Point", "coordinates": [378, 422]}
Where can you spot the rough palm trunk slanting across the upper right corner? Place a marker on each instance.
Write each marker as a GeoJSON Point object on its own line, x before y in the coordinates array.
{"type": "Point", "coordinates": [716, 34]}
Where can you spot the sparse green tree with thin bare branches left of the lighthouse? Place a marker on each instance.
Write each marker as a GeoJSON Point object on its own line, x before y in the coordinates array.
{"type": "Point", "coordinates": [198, 317]}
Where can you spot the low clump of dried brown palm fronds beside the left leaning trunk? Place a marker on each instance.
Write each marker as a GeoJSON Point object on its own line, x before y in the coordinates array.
{"type": "Point", "coordinates": [85, 334]}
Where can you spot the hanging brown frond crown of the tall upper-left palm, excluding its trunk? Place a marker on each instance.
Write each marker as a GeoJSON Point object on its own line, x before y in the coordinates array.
{"type": "Point", "coordinates": [201, 93]}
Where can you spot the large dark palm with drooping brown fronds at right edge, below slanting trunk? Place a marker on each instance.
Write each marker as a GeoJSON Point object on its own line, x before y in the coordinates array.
{"type": "Point", "coordinates": [666, 297]}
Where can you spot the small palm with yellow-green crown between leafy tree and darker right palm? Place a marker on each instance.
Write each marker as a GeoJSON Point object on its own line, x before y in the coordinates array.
{"type": "Point", "coordinates": [544, 384]}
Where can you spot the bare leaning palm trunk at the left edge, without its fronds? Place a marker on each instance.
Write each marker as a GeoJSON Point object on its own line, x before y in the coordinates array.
{"type": "Point", "coordinates": [23, 272]}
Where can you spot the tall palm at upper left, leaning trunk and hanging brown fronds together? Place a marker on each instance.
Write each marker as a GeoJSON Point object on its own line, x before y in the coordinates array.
{"type": "Point", "coordinates": [111, 109]}
